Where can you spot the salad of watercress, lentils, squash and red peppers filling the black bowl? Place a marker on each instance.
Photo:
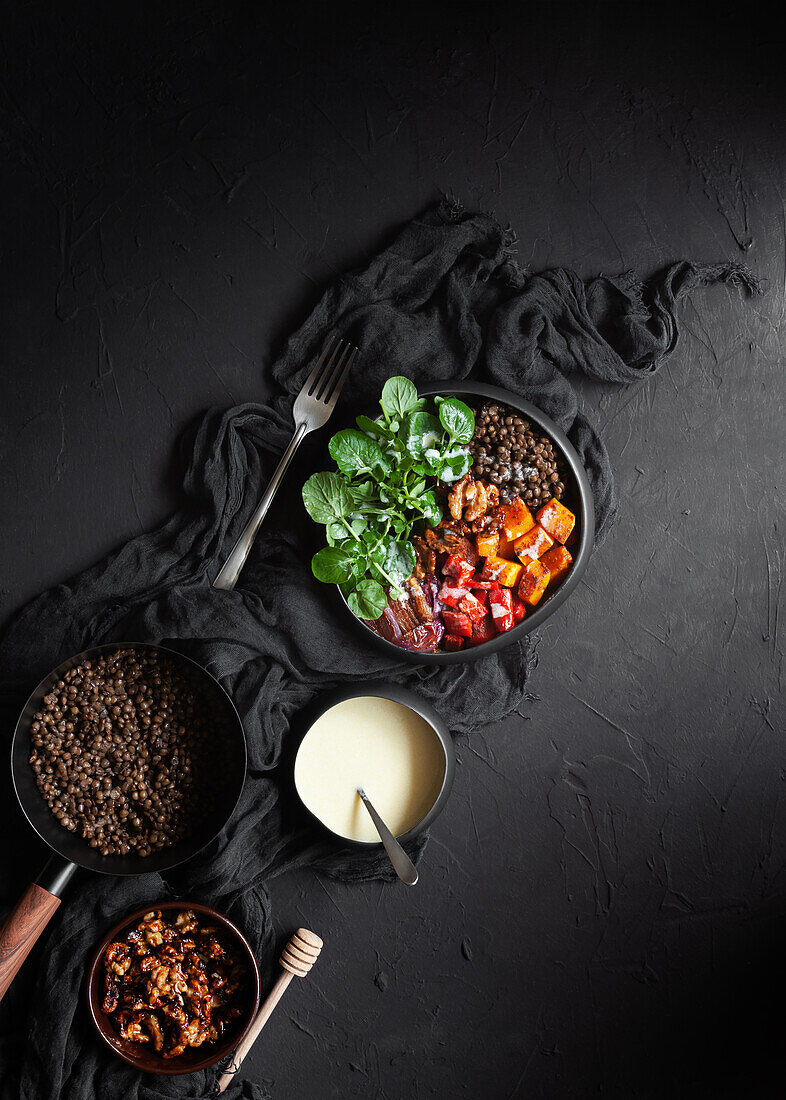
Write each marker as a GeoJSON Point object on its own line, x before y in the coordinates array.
{"type": "Point", "coordinates": [446, 525]}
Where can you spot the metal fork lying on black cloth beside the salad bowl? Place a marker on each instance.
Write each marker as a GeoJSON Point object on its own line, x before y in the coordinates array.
{"type": "Point", "coordinates": [313, 409]}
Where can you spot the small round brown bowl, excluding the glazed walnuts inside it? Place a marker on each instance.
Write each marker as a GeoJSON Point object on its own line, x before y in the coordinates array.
{"type": "Point", "coordinates": [194, 1059]}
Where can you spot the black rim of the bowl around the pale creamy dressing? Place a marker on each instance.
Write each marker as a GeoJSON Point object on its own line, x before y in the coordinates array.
{"type": "Point", "coordinates": [383, 689]}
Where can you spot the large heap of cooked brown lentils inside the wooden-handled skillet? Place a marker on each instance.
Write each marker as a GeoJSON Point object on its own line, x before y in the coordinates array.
{"type": "Point", "coordinates": [121, 752]}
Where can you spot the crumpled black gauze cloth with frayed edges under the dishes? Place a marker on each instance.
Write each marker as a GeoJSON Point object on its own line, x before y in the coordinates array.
{"type": "Point", "coordinates": [446, 301]}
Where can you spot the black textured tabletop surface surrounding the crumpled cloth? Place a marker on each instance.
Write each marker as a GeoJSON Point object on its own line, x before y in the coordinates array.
{"type": "Point", "coordinates": [602, 906]}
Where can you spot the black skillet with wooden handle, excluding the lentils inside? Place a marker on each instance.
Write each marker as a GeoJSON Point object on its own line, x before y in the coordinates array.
{"type": "Point", "coordinates": [35, 909]}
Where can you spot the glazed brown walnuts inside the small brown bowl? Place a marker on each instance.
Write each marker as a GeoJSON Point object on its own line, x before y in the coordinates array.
{"type": "Point", "coordinates": [172, 984]}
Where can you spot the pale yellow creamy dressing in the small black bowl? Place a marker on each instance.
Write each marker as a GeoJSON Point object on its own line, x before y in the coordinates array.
{"type": "Point", "coordinates": [382, 746]}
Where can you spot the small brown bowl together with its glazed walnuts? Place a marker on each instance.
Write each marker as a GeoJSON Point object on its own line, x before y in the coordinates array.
{"type": "Point", "coordinates": [173, 988]}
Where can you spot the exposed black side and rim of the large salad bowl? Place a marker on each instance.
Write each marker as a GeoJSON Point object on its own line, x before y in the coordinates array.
{"type": "Point", "coordinates": [578, 498]}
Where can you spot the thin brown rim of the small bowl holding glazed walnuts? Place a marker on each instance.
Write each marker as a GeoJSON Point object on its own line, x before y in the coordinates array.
{"type": "Point", "coordinates": [149, 1062]}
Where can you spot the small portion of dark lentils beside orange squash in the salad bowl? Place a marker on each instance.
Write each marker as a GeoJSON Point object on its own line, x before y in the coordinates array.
{"type": "Point", "coordinates": [511, 455]}
